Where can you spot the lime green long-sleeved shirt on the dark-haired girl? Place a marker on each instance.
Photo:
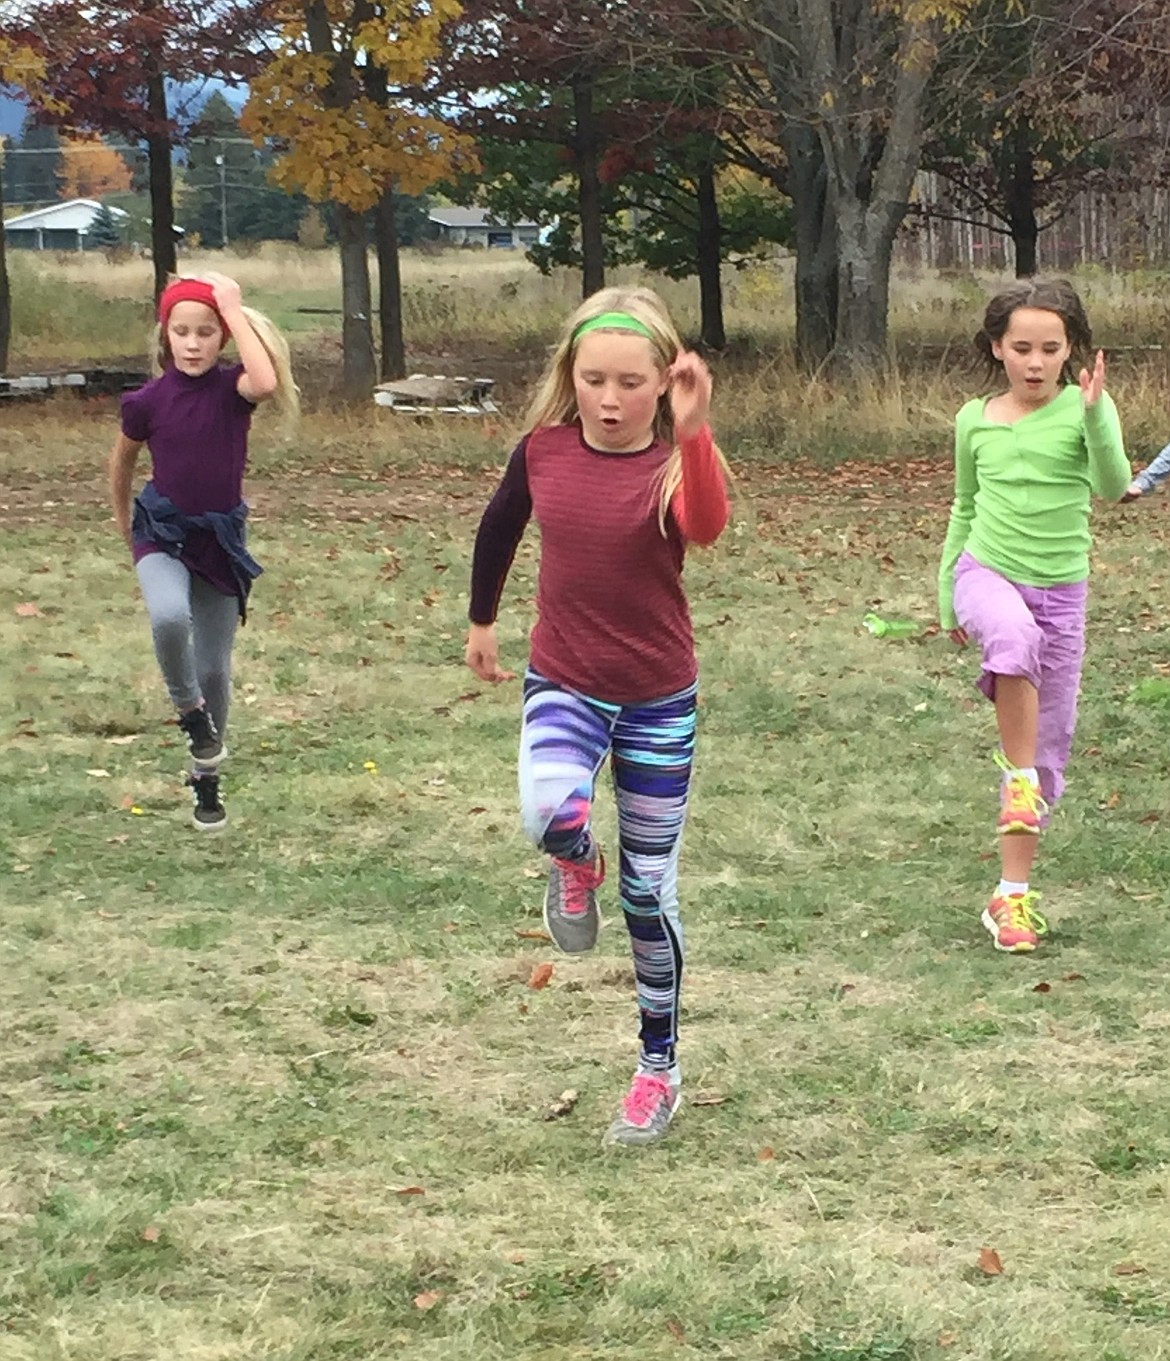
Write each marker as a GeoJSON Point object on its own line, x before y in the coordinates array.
{"type": "Point", "coordinates": [1022, 491]}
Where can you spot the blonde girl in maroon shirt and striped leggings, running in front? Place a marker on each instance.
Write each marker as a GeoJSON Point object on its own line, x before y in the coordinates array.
{"type": "Point", "coordinates": [621, 473]}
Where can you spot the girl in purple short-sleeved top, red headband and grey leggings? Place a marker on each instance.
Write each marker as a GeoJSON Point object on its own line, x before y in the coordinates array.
{"type": "Point", "coordinates": [186, 529]}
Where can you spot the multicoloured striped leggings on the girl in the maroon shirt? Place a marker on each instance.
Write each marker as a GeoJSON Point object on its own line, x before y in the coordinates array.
{"type": "Point", "coordinates": [564, 744]}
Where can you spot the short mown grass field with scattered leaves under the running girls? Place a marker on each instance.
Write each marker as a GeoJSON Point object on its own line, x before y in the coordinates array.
{"type": "Point", "coordinates": [281, 1094]}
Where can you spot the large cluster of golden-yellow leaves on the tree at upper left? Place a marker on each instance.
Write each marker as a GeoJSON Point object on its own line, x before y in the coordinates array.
{"type": "Point", "coordinates": [330, 99]}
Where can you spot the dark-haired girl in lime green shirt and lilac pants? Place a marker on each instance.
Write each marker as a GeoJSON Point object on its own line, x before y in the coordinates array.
{"type": "Point", "coordinates": [1014, 575]}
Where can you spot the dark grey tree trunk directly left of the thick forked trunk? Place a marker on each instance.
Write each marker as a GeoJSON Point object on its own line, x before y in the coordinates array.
{"type": "Point", "coordinates": [816, 231]}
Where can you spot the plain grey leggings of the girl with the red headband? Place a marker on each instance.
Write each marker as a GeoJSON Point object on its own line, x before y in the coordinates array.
{"type": "Point", "coordinates": [194, 627]}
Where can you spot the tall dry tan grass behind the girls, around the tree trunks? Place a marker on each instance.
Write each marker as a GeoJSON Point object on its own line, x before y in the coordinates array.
{"type": "Point", "coordinates": [495, 314]}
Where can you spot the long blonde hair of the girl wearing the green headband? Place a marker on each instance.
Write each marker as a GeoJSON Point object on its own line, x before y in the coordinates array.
{"type": "Point", "coordinates": [556, 401]}
